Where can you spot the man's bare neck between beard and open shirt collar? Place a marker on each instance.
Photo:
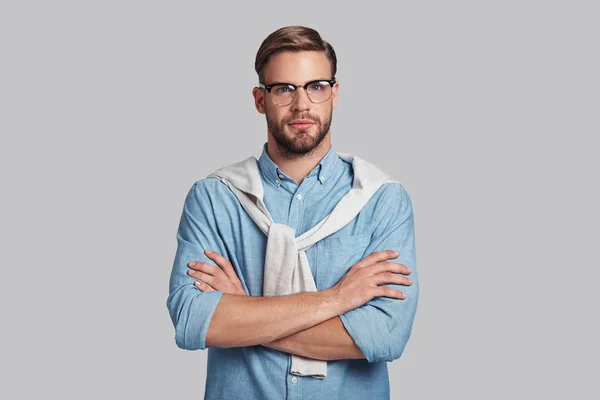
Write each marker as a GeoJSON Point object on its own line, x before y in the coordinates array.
{"type": "Point", "coordinates": [297, 166]}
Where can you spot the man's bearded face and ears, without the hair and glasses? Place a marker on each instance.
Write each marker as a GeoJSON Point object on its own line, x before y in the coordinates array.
{"type": "Point", "coordinates": [297, 68]}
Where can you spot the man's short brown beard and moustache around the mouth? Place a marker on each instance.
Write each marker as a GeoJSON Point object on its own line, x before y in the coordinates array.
{"type": "Point", "coordinates": [299, 141]}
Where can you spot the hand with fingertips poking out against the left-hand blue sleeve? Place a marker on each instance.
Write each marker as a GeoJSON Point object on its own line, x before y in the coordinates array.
{"type": "Point", "coordinates": [222, 278]}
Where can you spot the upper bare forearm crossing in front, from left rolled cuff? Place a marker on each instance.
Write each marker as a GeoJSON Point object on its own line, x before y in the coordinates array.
{"type": "Point", "coordinates": [253, 320]}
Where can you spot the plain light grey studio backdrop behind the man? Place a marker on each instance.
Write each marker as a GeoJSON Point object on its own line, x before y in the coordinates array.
{"type": "Point", "coordinates": [487, 112]}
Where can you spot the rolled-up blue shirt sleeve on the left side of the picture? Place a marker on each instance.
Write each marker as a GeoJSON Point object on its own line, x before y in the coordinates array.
{"type": "Point", "coordinates": [191, 309]}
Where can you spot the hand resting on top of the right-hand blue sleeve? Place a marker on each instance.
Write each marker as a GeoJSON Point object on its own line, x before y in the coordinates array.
{"type": "Point", "coordinates": [361, 282]}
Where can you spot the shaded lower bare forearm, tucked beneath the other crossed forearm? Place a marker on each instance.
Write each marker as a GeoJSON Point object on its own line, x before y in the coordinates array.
{"type": "Point", "coordinates": [328, 340]}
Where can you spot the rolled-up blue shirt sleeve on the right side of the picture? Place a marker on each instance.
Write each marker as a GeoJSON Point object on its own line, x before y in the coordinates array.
{"type": "Point", "coordinates": [381, 327]}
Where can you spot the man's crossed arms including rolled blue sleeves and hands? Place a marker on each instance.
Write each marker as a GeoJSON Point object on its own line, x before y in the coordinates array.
{"type": "Point", "coordinates": [307, 324]}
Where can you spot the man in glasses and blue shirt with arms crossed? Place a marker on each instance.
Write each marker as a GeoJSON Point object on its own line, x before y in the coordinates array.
{"type": "Point", "coordinates": [360, 312]}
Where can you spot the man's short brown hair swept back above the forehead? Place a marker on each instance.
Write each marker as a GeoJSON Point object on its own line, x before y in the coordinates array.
{"type": "Point", "coordinates": [293, 39]}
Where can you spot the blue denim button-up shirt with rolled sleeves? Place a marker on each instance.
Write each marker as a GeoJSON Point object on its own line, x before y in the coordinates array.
{"type": "Point", "coordinates": [213, 219]}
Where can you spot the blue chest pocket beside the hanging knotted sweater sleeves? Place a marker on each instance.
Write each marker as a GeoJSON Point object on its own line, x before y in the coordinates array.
{"type": "Point", "coordinates": [336, 254]}
